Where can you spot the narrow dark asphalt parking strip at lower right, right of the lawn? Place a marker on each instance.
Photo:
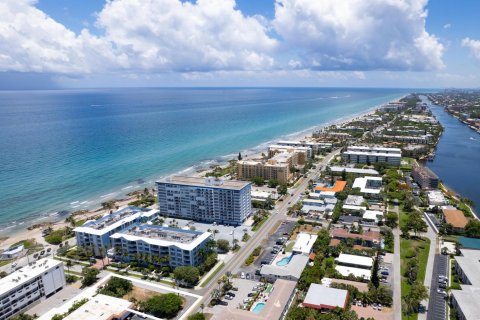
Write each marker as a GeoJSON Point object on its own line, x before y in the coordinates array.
{"type": "Point", "coordinates": [437, 303]}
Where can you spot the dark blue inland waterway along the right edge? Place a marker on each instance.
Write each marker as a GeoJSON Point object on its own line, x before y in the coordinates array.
{"type": "Point", "coordinates": [457, 157]}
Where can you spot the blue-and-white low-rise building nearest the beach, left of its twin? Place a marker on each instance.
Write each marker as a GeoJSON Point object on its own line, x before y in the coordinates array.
{"type": "Point", "coordinates": [96, 233]}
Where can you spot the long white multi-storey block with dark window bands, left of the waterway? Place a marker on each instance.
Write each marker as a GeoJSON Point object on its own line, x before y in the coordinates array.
{"type": "Point", "coordinates": [363, 154]}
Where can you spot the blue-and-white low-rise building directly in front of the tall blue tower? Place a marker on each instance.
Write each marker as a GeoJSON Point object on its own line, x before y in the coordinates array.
{"type": "Point", "coordinates": [160, 245]}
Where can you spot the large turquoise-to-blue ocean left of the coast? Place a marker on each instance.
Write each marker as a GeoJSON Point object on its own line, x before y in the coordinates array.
{"type": "Point", "coordinates": [67, 150]}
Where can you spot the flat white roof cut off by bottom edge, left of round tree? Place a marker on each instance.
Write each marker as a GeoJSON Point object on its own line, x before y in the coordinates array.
{"type": "Point", "coordinates": [100, 307]}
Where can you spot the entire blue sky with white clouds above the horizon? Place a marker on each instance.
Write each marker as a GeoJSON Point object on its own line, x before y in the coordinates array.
{"type": "Point", "coordinates": [375, 43]}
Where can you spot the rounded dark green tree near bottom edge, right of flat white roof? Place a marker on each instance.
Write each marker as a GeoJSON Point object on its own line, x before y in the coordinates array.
{"type": "Point", "coordinates": [163, 306]}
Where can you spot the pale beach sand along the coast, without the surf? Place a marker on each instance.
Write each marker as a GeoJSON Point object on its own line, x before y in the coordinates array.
{"type": "Point", "coordinates": [17, 235]}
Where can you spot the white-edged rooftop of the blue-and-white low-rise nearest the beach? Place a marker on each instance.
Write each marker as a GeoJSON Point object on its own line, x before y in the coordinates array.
{"type": "Point", "coordinates": [114, 220]}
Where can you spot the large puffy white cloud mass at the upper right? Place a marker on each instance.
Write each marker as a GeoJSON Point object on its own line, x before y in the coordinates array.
{"type": "Point", "coordinates": [359, 34]}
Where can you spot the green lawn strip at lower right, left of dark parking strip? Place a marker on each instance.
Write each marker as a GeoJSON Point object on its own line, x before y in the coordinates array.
{"type": "Point", "coordinates": [407, 251]}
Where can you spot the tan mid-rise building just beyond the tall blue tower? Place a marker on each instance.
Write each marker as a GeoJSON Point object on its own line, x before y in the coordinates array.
{"type": "Point", "coordinates": [270, 169]}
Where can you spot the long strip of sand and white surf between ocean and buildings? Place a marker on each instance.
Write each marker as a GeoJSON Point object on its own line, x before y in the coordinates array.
{"type": "Point", "coordinates": [13, 232]}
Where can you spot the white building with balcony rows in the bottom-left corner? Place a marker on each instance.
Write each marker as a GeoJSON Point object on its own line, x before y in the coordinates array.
{"type": "Point", "coordinates": [30, 284]}
